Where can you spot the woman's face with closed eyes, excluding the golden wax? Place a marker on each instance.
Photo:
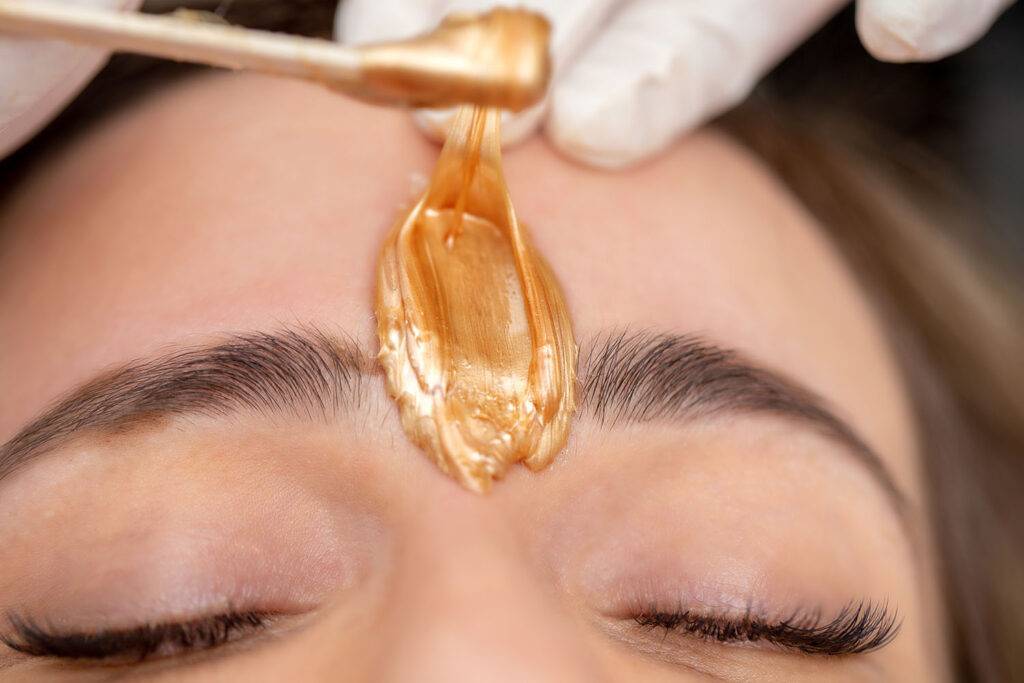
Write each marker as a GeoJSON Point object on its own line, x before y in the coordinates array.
{"type": "Point", "coordinates": [247, 478]}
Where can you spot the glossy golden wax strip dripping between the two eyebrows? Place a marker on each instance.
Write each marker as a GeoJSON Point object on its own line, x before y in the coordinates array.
{"type": "Point", "coordinates": [476, 338]}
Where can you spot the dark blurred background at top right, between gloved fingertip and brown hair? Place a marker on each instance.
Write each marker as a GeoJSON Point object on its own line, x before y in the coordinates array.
{"type": "Point", "coordinates": [967, 110]}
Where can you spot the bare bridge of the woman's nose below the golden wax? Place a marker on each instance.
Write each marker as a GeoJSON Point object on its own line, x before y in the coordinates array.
{"type": "Point", "coordinates": [467, 606]}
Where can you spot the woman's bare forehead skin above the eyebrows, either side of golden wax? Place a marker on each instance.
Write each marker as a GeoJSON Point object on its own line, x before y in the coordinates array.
{"type": "Point", "coordinates": [233, 203]}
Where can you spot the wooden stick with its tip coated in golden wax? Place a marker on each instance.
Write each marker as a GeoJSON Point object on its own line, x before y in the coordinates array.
{"type": "Point", "coordinates": [434, 70]}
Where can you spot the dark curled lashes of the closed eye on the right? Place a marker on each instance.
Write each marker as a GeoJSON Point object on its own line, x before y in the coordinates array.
{"type": "Point", "coordinates": [860, 628]}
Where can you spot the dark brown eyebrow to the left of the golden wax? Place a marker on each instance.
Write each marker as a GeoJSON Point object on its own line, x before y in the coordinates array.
{"type": "Point", "coordinates": [304, 373]}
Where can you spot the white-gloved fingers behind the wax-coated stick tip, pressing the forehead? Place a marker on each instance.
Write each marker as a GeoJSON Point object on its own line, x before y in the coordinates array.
{"type": "Point", "coordinates": [632, 75]}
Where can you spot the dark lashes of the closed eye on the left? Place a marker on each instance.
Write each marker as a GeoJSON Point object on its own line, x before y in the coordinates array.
{"type": "Point", "coordinates": [137, 644]}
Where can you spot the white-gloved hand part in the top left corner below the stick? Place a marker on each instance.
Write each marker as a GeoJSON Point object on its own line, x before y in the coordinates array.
{"type": "Point", "coordinates": [39, 78]}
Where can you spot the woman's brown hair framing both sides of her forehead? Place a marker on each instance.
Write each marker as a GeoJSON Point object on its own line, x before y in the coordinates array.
{"type": "Point", "coordinates": [955, 316]}
